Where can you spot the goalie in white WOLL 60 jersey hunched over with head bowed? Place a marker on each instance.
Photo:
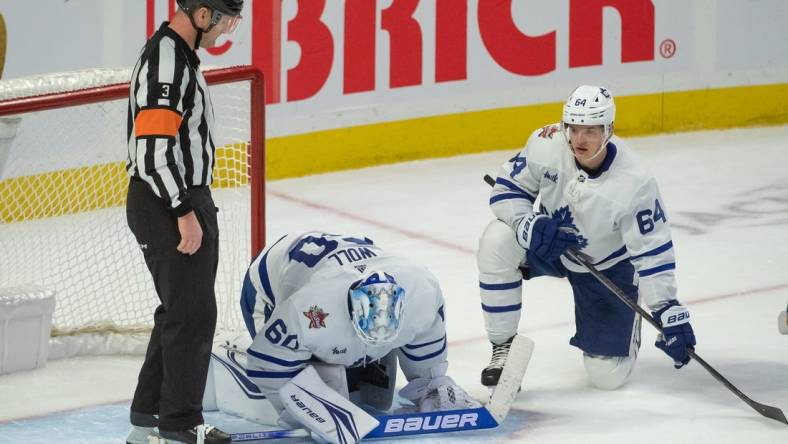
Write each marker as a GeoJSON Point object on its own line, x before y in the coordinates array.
{"type": "Point", "coordinates": [331, 300]}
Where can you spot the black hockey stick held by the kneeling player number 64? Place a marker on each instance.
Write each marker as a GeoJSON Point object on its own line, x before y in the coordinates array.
{"type": "Point", "coordinates": [583, 259]}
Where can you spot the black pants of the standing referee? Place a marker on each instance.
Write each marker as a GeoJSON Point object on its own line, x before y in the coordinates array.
{"type": "Point", "coordinates": [172, 379]}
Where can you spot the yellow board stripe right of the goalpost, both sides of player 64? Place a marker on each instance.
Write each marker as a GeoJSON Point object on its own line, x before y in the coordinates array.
{"type": "Point", "coordinates": [509, 128]}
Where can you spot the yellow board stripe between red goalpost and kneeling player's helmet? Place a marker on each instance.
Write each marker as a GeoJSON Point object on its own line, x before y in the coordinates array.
{"type": "Point", "coordinates": [398, 141]}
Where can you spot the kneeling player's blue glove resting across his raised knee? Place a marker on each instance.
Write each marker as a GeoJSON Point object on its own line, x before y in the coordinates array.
{"type": "Point", "coordinates": [545, 237]}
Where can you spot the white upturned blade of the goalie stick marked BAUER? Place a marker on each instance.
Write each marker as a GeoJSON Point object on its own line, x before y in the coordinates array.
{"type": "Point", "coordinates": [511, 377]}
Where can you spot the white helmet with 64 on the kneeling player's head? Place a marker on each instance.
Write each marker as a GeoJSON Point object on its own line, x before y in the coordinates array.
{"type": "Point", "coordinates": [590, 105]}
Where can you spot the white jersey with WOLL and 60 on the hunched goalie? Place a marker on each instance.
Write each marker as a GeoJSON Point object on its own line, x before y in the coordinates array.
{"type": "Point", "coordinates": [295, 304]}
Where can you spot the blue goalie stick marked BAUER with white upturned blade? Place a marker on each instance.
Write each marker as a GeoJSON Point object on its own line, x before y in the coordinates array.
{"type": "Point", "coordinates": [407, 424]}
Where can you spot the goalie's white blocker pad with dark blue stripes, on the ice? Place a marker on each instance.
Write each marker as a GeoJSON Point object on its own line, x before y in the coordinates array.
{"type": "Point", "coordinates": [324, 411]}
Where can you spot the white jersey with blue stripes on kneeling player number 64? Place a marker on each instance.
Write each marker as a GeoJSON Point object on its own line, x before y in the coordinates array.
{"type": "Point", "coordinates": [618, 211]}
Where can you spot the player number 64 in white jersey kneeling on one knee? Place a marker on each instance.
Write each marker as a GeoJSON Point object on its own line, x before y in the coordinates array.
{"type": "Point", "coordinates": [594, 197]}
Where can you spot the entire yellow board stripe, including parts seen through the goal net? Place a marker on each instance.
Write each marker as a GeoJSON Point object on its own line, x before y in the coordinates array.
{"type": "Point", "coordinates": [102, 186]}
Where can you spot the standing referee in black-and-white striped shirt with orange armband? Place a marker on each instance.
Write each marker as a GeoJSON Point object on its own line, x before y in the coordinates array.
{"type": "Point", "coordinates": [173, 217]}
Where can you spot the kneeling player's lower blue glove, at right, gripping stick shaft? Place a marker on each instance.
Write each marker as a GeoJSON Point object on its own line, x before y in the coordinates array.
{"type": "Point", "coordinates": [677, 335]}
